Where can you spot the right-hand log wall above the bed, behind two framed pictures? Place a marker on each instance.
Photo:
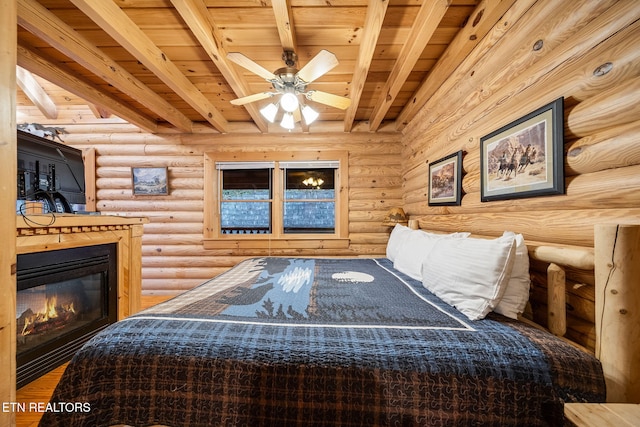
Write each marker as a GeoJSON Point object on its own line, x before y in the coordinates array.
{"type": "Point", "coordinates": [584, 51]}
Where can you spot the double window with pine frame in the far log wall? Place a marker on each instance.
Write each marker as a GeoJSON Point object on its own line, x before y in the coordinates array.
{"type": "Point", "coordinates": [261, 197]}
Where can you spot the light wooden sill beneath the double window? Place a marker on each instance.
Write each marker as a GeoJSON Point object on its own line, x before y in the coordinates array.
{"type": "Point", "coordinates": [251, 242]}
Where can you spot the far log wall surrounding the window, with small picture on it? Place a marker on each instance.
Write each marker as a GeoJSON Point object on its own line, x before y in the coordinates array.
{"type": "Point", "coordinates": [173, 256]}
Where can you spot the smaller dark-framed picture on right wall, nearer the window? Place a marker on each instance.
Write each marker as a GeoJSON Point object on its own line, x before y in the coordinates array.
{"type": "Point", "coordinates": [445, 181]}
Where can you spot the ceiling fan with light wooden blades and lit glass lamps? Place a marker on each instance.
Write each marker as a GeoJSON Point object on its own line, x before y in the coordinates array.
{"type": "Point", "coordinates": [290, 83]}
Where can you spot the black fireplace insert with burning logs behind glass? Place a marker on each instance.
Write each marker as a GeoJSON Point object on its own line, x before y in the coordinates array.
{"type": "Point", "coordinates": [64, 297]}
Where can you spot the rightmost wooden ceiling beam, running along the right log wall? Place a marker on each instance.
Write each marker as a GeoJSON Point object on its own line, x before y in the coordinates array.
{"type": "Point", "coordinates": [484, 18]}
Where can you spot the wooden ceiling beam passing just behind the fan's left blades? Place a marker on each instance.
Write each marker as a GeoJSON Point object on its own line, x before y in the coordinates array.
{"type": "Point", "coordinates": [201, 24]}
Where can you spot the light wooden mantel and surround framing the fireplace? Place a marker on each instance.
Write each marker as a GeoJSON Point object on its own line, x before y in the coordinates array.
{"type": "Point", "coordinates": [44, 232]}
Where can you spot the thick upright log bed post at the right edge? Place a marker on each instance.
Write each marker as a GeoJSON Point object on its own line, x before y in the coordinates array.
{"type": "Point", "coordinates": [617, 274]}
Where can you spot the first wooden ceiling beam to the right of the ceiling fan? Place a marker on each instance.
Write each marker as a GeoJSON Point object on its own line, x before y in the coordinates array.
{"type": "Point", "coordinates": [376, 11]}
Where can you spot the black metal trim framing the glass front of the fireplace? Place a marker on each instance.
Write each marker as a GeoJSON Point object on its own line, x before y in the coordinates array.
{"type": "Point", "coordinates": [59, 265]}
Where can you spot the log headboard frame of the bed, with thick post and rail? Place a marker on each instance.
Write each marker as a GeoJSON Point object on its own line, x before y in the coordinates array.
{"type": "Point", "coordinates": [614, 263]}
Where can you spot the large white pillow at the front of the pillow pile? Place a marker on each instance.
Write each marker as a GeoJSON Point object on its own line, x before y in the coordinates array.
{"type": "Point", "coordinates": [470, 274]}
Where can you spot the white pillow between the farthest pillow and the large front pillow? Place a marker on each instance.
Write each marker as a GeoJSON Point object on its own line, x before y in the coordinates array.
{"type": "Point", "coordinates": [413, 251]}
